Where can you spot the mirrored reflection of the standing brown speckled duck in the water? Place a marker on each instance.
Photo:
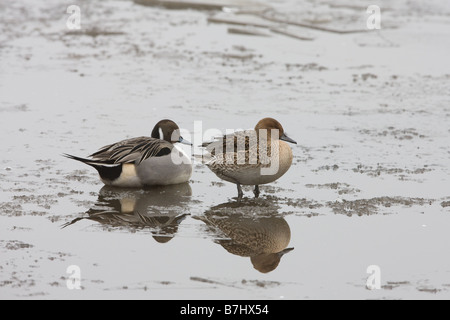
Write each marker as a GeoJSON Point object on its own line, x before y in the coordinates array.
{"type": "Point", "coordinates": [252, 229]}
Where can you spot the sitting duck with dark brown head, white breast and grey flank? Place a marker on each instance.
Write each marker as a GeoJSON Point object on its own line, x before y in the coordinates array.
{"type": "Point", "coordinates": [143, 161]}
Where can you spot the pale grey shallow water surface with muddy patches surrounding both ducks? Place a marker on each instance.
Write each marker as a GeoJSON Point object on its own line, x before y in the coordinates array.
{"type": "Point", "coordinates": [369, 184]}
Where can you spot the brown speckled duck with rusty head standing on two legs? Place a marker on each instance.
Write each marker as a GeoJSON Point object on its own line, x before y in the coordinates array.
{"type": "Point", "coordinates": [251, 157]}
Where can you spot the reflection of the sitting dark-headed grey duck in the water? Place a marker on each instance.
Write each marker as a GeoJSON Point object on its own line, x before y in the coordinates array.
{"type": "Point", "coordinates": [159, 209]}
